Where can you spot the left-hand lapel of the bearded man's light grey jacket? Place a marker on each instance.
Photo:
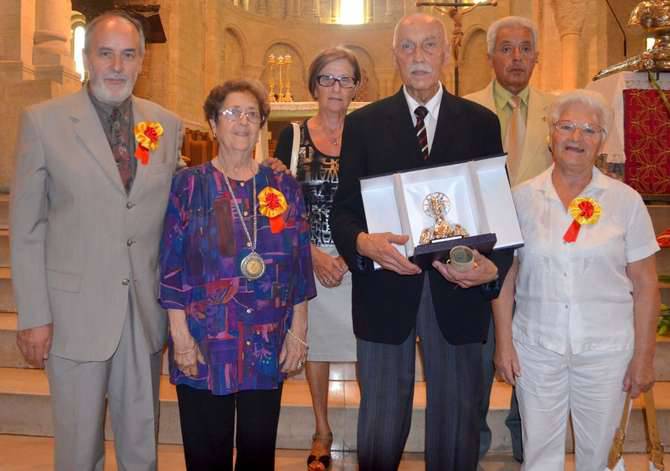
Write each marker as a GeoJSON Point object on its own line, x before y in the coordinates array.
{"type": "Point", "coordinates": [87, 127]}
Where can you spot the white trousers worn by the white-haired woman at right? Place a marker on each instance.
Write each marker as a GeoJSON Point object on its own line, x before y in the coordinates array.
{"type": "Point", "coordinates": [551, 385]}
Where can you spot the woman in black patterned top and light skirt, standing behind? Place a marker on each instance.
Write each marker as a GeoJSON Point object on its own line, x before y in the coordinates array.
{"type": "Point", "coordinates": [334, 76]}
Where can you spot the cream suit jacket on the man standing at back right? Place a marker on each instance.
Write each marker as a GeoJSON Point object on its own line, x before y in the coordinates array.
{"type": "Point", "coordinates": [535, 156]}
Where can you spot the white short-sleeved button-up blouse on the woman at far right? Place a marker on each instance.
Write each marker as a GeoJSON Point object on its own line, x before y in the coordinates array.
{"type": "Point", "coordinates": [576, 297]}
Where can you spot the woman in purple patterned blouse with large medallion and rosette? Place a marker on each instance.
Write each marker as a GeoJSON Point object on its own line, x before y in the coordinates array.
{"type": "Point", "coordinates": [236, 275]}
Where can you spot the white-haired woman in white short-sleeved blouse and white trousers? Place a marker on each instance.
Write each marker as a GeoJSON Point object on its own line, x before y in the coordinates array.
{"type": "Point", "coordinates": [584, 293]}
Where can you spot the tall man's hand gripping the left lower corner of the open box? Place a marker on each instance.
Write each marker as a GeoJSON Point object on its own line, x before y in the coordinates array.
{"type": "Point", "coordinates": [380, 248]}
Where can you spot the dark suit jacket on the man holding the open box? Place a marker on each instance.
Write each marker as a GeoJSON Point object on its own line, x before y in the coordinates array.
{"type": "Point", "coordinates": [380, 138]}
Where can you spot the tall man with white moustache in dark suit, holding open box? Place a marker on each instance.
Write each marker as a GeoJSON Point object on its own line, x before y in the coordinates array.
{"type": "Point", "coordinates": [449, 311]}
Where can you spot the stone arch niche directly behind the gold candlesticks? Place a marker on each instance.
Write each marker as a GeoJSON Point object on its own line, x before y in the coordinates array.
{"type": "Point", "coordinates": [297, 70]}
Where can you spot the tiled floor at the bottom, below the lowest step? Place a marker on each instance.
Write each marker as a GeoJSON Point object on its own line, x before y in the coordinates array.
{"type": "Point", "coordinates": [35, 454]}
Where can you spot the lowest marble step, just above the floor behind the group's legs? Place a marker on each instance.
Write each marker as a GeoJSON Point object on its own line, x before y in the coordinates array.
{"type": "Point", "coordinates": [25, 410]}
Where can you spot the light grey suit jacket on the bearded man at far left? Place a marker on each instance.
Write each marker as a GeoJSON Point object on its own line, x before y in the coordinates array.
{"type": "Point", "coordinates": [79, 243]}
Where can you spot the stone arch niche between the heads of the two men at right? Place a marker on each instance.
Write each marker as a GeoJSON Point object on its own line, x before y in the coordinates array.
{"type": "Point", "coordinates": [474, 69]}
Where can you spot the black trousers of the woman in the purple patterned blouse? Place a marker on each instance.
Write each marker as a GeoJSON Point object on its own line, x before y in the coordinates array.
{"type": "Point", "coordinates": [208, 427]}
